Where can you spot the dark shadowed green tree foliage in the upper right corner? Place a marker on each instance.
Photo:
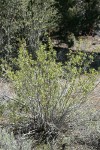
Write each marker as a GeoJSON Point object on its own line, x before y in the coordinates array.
{"type": "Point", "coordinates": [78, 16]}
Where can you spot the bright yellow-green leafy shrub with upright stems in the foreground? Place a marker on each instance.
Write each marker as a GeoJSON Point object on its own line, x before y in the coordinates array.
{"type": "Point", "coordinates": [40, 86]}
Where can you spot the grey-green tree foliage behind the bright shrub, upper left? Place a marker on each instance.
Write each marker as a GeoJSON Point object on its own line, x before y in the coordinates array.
{"type": "Point", "coordinates": [27, 19]}
